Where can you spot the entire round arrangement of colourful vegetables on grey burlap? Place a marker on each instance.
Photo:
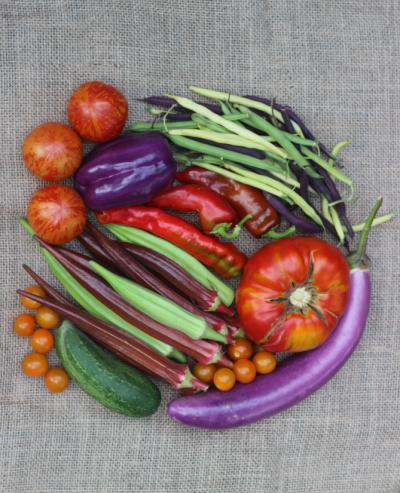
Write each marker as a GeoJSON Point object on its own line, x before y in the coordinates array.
{"type": "Point", "coordinates": [145, 303]}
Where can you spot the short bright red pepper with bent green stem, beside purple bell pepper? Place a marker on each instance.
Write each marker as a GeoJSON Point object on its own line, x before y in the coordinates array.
{"type": "Point", "coordinates": [216, 215]}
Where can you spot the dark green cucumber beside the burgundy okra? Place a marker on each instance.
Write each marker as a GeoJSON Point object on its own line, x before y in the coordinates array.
{"type": "Point", "coordinates": [114, 384]}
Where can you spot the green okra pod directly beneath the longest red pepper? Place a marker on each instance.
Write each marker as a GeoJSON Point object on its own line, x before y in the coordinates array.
{"type": "Point", "coordinates": [184, 259]}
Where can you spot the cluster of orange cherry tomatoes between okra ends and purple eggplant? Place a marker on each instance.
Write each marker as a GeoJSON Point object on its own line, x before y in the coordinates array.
{"type": "Point", "coordinates": [247, 362]}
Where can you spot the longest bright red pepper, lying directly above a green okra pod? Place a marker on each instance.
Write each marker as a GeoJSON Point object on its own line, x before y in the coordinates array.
{"type": "Point", "coordinates": [224, 258]}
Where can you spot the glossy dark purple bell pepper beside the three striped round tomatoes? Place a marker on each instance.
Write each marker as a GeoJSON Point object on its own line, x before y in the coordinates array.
{"type": "Point", "coordinates": [129, 170]}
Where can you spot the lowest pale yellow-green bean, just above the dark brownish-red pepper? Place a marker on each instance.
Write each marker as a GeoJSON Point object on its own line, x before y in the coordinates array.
{"type": "Point", "coordinates": [263, 183]}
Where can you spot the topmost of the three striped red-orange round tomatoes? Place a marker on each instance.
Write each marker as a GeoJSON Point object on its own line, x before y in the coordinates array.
{"type": "Point", "coordinates": [97, 111]}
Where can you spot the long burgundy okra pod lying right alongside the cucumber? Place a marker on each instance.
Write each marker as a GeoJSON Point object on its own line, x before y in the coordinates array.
{"type": "Point", "coordinates": [120, 342]}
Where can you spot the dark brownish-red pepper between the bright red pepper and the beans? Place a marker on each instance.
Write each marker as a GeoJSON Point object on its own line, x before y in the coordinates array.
{"type": "Point", "coordinates": [243, 198]}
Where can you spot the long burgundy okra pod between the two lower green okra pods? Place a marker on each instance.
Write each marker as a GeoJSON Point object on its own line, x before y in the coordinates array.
{"type": "Point", "coordinates": [202, 351]}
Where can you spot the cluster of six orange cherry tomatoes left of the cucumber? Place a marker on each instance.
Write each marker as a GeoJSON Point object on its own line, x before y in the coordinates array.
{"type": "Point", "coordinates": [38, 328]}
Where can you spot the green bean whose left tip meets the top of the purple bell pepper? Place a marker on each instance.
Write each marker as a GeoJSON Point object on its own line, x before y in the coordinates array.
{"type": "Point", "coordinates": [237, 157]}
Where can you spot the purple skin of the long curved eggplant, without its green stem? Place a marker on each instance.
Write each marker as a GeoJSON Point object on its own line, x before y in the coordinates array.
{"type": "Point", "coordinates": [293, 380]}
